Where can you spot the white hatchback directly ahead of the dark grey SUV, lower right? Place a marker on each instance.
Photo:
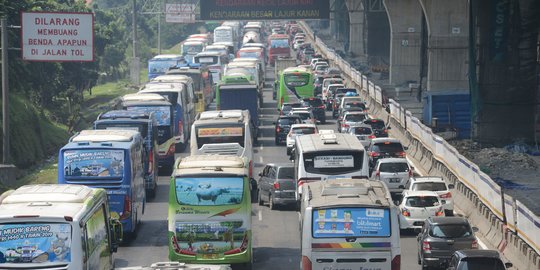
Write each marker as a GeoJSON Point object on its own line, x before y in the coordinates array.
{"type": "Point", "coordinates": [416, 207]}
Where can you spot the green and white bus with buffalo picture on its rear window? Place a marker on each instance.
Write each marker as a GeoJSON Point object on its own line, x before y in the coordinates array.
{"type": "Point", "coordinates": [209, 219]}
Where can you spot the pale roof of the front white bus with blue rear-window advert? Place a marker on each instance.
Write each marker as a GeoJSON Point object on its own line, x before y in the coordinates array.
{"type": "Point", "coordinates": [348, 191]}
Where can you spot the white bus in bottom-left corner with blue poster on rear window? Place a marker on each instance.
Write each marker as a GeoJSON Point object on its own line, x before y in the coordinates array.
{"type": "Point", "coordinates": [57, 227]}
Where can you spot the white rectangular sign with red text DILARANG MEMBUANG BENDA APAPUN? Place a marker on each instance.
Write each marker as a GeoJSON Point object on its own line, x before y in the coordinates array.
{"type": "Point", "coordinates": [57, 36]}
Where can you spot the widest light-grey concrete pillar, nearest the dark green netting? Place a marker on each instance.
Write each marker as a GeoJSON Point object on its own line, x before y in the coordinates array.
{"type": "Point", "coordinates": [447, 23]}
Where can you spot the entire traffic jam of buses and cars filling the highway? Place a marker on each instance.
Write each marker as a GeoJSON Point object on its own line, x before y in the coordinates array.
{"type": "Point", "coordinates": [246, 129]}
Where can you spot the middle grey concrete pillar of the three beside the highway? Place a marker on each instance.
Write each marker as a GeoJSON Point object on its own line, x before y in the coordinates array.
{"type": "Point", "coordinates": [405, 17]}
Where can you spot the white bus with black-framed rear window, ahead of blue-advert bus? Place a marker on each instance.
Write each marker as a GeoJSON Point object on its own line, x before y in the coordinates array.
{"type": "Point", "coordinates": [328, 156]}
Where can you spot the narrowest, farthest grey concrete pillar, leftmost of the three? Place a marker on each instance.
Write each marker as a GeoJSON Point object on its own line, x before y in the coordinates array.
{"type": "Point", "coordinates": [356, 30]}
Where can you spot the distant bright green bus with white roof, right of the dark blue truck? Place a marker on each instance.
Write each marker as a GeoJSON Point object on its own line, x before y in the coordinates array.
{"type": "Point", "coordinates": [296, 81]}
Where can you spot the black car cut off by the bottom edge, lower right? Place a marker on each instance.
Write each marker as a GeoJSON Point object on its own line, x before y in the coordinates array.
{"type": "Point", "coordinates": [477, 259]}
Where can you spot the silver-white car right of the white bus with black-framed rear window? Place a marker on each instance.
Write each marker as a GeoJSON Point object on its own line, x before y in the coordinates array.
{"type": "Point", "coordinates": [394, 172]}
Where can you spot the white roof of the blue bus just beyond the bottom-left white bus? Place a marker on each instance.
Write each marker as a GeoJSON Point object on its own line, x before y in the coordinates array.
{"type": "Point", "coordinates": [105, 135]}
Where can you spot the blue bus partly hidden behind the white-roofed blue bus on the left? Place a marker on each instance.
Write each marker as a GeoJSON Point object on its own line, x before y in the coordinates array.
{"type": "Point", "coordinates": [146, 123]}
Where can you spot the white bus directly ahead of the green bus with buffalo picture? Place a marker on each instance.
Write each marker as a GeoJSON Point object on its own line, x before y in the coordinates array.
{"type": "Point", "coordinates": [227, 132]}
